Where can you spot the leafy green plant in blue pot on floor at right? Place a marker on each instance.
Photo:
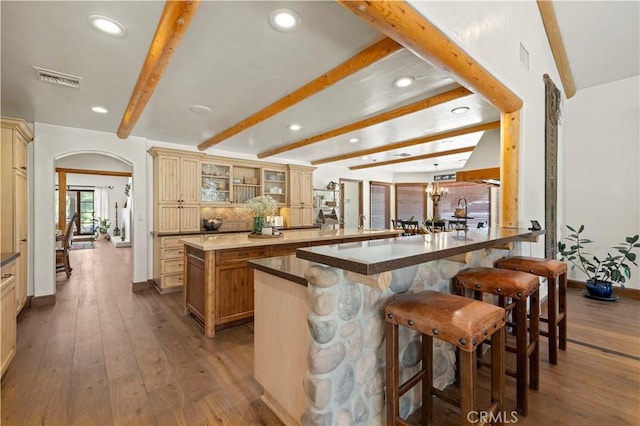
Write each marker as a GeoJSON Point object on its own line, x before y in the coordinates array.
{"type": "Point", "coordinates": [601, 274]}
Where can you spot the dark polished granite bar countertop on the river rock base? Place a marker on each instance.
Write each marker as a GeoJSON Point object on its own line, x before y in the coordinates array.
{"type": "Point", "coordinates": [376, 256]}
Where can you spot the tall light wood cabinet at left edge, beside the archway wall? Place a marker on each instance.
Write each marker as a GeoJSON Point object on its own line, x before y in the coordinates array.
{"type": "Point", "coordinates": [14, 212]}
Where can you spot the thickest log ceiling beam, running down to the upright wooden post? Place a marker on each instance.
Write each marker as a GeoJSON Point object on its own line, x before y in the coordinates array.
{"type": "Point", "coordinates": [398, 20]}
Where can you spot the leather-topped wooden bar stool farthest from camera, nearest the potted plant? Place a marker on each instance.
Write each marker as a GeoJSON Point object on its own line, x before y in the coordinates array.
{"type": "Point", "coordinates": [556, 274]}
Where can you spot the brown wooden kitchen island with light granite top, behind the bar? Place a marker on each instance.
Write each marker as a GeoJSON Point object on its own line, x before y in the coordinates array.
{"type": "Point", "coordinates": [218, 285]}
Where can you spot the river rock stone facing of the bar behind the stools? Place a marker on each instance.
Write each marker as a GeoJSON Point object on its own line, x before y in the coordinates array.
{"type": "Point", "coordinates": [346, 359]}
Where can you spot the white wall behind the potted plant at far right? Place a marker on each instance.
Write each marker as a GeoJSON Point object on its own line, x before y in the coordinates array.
{"type": "Point", "coordinates": [601, 163]}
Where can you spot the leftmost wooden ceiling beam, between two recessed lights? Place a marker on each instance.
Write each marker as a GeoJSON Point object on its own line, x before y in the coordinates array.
{"type": "Point", "coordinates": [173, 23]}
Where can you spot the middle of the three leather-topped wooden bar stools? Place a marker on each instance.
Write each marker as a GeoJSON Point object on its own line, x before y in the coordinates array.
{"type": "Point", "coordinates": [517, 287]}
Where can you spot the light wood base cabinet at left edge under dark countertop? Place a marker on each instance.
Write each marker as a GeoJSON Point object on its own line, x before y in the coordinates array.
{"type": "Point", "coordinates": [7, 316]}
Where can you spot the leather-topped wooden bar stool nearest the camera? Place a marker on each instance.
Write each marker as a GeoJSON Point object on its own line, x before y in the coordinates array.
{"type": "Point", "coordinates": [457, 320]}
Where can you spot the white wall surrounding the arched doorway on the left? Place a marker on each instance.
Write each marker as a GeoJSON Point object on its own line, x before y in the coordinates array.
{"type": "Point", "coordinates": [52, 142]}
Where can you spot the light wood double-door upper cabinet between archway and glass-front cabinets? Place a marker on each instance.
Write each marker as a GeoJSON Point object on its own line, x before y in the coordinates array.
{"type": "Point", "coordinates": [176, 191]}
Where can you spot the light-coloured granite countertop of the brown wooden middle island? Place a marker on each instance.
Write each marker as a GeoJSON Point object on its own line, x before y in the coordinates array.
{"type": "Point", "coordinates": [229, 241]}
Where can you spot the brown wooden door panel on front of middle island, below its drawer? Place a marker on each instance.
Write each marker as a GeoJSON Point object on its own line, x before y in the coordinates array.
{"type": "Point", "coordinates": [234, 292]}
